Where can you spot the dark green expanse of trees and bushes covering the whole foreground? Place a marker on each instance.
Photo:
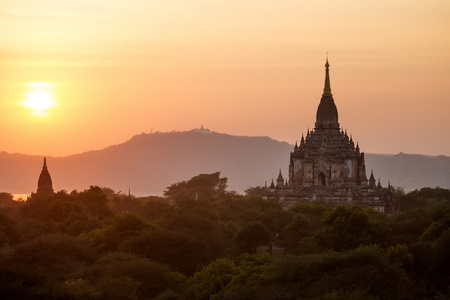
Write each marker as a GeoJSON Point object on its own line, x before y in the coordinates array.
{"type": "Point", "coordinates": [201, 241]}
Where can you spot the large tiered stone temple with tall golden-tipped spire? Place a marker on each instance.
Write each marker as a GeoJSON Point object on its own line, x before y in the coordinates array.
{"type": "Point", "coordinates": [327, 166]}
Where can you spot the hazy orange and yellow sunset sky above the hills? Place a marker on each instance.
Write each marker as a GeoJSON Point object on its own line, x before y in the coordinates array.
{"type": "Point", "coordinates": [120, 68]}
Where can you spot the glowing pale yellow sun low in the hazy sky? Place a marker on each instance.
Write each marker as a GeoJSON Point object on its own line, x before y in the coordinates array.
{"type": "Point", "coordinates": [40, 98]}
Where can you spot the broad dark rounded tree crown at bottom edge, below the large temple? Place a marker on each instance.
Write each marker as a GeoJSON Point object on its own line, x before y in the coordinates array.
{"type": "Point", "coordinates": [363, 273]}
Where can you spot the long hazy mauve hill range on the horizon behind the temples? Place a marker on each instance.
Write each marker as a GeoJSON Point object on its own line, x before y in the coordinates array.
{"type": "Point", "coordinates": [148, 163]}
